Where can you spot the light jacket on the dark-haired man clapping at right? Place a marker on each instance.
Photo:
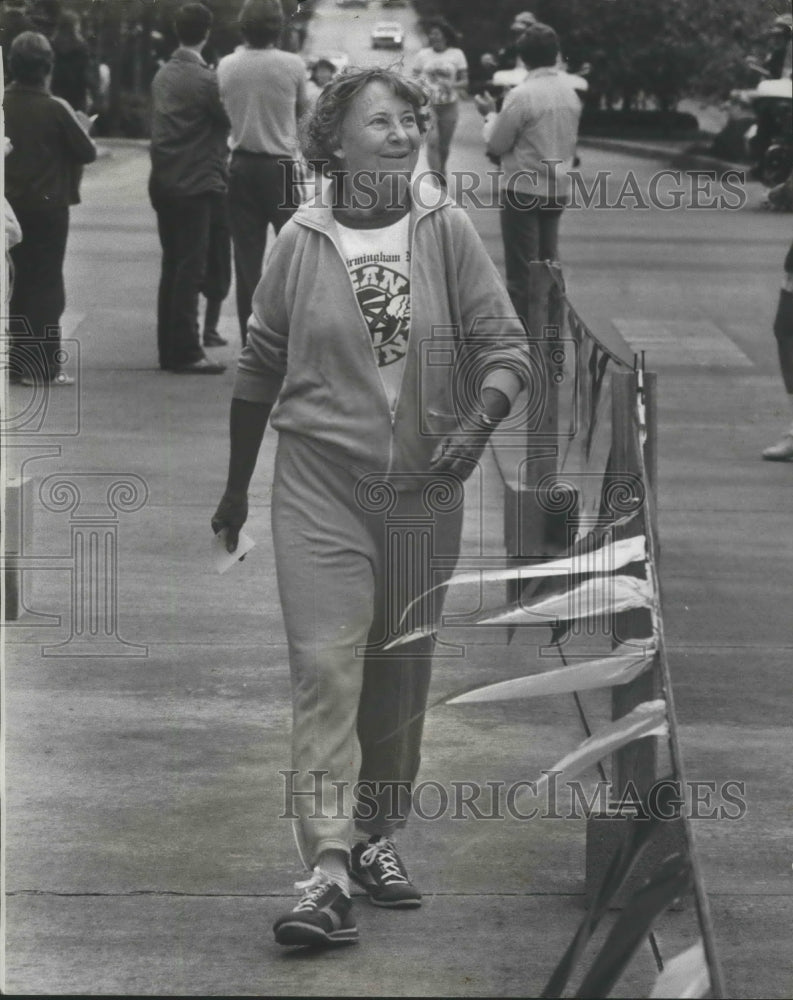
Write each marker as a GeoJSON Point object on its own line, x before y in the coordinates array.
{"type": "Point", "coordinates": [535, 134]}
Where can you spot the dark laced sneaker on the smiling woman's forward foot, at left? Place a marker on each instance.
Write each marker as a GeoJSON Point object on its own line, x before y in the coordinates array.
{"type": "Point", "coordinates": [322, 917]}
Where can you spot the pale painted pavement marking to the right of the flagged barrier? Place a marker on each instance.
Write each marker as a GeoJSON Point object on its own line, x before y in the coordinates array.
{"type": "Point", "coordinates": [682, 343]}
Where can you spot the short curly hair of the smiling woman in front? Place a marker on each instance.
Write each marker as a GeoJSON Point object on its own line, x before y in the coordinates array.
{"type": "Point", "coordinates": [320, 130]}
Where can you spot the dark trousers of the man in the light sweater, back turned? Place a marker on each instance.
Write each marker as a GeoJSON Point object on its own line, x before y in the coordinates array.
{"type": "Point", "coordinates": [262, 190]}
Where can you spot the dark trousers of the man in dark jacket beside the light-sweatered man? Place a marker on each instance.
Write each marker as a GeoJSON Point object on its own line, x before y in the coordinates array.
{"type": "Point", "coordinates": [185, 226]}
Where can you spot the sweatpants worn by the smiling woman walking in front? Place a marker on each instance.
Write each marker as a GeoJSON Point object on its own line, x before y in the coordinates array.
{"type": "Point", "coordinates": [351, 553]}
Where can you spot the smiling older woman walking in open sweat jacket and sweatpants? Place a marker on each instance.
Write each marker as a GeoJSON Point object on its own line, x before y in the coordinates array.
{"type": "Point", "coordinates": [372, 436]}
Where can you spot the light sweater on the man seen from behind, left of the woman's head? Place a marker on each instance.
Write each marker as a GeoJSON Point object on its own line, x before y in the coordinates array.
{"type": "Point", "coordinates": [264, 93]}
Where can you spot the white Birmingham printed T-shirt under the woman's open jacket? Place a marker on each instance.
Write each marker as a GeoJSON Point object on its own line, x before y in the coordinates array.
{"type": "Point", "coordinates": [379, 264]}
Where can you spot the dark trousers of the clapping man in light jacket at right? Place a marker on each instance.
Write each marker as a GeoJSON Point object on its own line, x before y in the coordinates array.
{"type": "Point", "coordinates": [530, 231]}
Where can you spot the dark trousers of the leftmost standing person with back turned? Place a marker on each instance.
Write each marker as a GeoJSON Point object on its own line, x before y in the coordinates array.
{"type": "Point", "coordinates": [39, 297]}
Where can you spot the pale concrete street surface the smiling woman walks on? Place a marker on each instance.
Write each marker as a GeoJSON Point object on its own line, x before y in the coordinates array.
{"type": "Point", "coordinates": [143, 854]}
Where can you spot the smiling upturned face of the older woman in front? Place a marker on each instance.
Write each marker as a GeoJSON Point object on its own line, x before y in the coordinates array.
{"type": "Point", "coordinates": [379, 134]}
